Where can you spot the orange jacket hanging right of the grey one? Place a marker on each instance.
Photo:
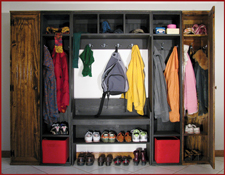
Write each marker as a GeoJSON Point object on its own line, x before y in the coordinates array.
{"type": "Point", "coordinates": [172, 81]}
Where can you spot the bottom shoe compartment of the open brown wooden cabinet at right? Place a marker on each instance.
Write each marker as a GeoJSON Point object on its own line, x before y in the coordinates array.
{"type": "Point", "coordinates": [198, 143]}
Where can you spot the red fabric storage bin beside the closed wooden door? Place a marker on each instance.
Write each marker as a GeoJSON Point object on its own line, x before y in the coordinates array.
{"type": "Point", "coordinates": [55, 150]}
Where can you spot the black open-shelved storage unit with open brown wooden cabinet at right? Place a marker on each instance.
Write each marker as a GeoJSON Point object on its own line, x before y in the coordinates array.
{"type": "Point", "coordinates": [80, 114]}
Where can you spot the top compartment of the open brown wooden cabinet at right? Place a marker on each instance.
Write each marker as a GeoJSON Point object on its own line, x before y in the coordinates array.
{"type": "Point", "coordinates": [190, 18]}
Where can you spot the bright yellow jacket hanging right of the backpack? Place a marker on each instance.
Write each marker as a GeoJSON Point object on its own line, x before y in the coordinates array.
{"type": "Point", "coordinates": [135, 76]}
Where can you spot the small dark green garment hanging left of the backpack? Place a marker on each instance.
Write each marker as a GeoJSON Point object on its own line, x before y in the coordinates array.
{"type": "Point", "coordinates": [87, 59]}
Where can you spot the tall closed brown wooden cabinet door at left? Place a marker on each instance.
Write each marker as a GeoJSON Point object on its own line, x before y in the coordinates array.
{"type": "Point", "coordinates": [25, 73]}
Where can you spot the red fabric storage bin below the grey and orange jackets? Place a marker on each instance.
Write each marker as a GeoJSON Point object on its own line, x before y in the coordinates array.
{"type": "Point", "coordinates": [167, 150]}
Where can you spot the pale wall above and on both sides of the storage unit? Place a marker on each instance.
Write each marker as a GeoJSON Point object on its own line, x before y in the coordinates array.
{"type": "Point", "coordinates": [29, 6]}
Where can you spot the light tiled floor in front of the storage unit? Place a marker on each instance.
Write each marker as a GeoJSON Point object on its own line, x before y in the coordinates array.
{"type": "Point", "coordinates": [131, 169]}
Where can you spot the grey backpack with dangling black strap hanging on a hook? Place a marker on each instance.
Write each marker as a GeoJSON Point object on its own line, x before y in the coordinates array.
{"type": "Point", "coordinates": [114, 79]}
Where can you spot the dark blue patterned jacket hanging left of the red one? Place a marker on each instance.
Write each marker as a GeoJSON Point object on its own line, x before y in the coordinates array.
{"type": "Point", "coordinates": [50, 109]}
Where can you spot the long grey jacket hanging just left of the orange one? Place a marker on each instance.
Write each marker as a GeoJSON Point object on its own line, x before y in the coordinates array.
{"type": "Point", "coordinates": [161, 107]}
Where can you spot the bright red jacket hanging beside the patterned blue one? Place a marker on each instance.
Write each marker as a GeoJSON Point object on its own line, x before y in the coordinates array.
{"type": "Point", "coordinates": [62, 79]}
